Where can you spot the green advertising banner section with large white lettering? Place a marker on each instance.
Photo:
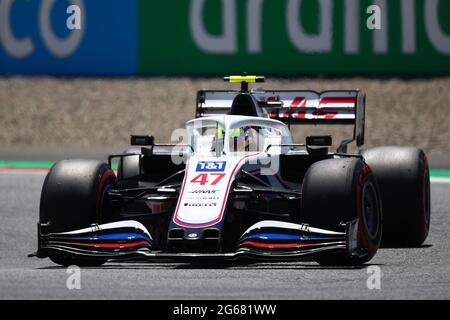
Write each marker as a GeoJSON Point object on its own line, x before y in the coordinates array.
{"type": "Point", "coordinates": [294, 36]}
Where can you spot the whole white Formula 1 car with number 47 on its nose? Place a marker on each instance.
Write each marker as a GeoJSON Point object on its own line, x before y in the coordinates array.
{"type": "Point", "coordinates": [240, 187]}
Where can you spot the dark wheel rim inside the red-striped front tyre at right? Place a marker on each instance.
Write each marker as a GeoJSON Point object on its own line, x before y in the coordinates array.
{"type": "Point", "coordinates": [370, 210]}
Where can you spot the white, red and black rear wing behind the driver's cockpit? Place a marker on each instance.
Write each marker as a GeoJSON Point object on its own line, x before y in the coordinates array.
{"type": "Point", "coordinates": [295, 106]}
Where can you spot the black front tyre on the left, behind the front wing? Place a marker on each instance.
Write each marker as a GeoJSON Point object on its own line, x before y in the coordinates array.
{"type": "Point", "coordinates": [73, 198]}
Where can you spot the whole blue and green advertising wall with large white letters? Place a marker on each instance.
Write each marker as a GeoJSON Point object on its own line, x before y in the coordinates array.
{"type": "Point", "coordinates": [210, 37]}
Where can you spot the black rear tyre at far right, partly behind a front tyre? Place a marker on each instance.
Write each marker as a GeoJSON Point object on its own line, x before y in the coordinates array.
{"type": "Point", "coordinates": [403, 176]}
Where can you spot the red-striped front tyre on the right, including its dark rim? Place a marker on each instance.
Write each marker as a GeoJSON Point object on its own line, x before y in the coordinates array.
{"type": "Point", "coordinates": [342, 190]}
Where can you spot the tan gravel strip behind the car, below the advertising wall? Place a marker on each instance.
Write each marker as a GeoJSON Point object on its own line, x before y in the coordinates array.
{"type": "Point", "coordinates": [101, 113]}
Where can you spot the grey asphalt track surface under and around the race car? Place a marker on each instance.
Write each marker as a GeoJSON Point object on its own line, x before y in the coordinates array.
{"type": "Point", "coordinates": [411, 273]}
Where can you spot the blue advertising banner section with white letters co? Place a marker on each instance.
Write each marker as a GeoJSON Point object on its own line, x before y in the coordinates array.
{"type": "Point", "coordinates": [44, 37]}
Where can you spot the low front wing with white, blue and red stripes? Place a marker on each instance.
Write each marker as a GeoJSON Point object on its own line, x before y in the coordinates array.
{"type": "Point", "coordinates": [267, 240]}
